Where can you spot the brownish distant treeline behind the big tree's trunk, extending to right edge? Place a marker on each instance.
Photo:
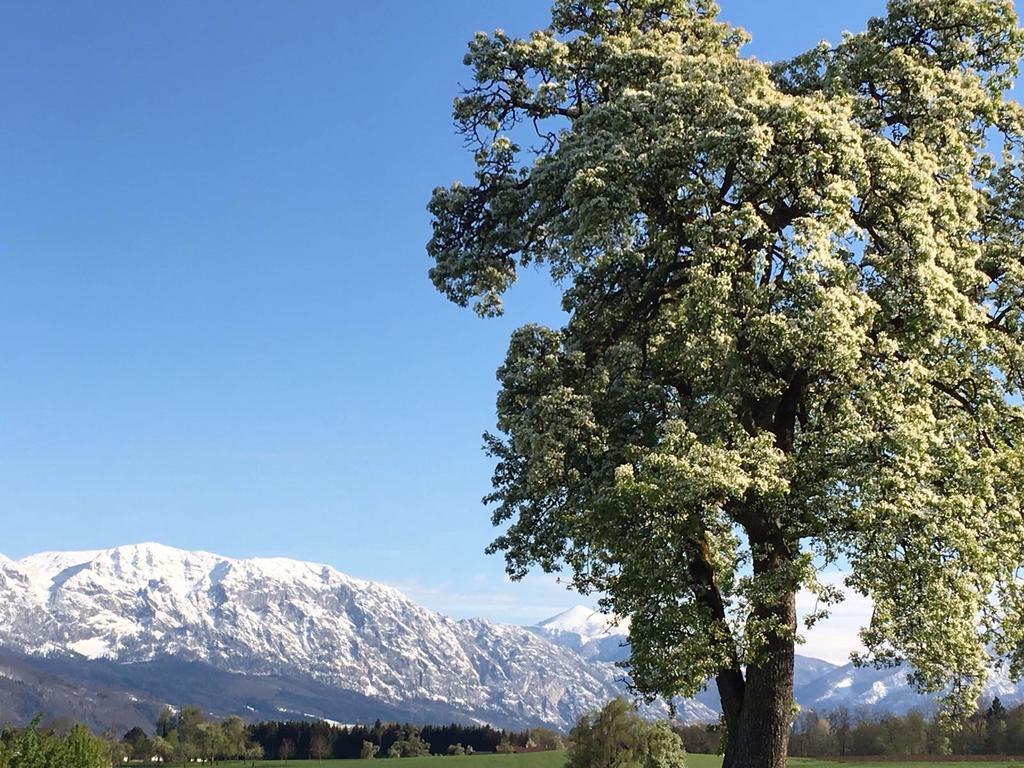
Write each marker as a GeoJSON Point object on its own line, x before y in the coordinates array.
{"type": "Point", "coordinates": [992, 731]}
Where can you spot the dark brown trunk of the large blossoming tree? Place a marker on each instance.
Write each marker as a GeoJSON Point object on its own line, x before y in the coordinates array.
{"type": "Point", "coordinates": [759, 709]}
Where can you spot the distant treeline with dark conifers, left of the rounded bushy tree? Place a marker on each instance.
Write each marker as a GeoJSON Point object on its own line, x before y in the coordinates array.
{"type": "Point", "coordinates": [188, 736]}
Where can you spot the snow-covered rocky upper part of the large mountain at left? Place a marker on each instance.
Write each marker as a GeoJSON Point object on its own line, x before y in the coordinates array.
{"type": "Point", "coordinates": [269, 616]}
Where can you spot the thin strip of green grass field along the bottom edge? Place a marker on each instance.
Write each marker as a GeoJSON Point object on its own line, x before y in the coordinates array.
{"type": "Point", "coordinates": [558, 760]}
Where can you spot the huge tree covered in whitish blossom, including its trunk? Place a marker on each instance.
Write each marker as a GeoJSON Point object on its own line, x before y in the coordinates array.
{"type": "Point", "coordinates": [794, 334]}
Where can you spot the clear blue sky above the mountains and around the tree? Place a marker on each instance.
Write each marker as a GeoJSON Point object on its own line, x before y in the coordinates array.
{"type": "Point", "coordinates": [217, 330]}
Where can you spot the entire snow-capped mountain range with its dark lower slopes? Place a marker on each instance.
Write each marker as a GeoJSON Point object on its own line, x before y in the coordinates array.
{"type": "Point", "coordinates": [111, 636]}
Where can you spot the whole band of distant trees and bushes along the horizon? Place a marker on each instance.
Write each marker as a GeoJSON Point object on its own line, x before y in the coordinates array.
{"type": "Point", "coordinates": [188, 736]}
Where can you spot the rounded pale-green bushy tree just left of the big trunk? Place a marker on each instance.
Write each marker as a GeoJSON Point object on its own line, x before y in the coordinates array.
{"type": "Point", "coordinates": [618, 738]}
